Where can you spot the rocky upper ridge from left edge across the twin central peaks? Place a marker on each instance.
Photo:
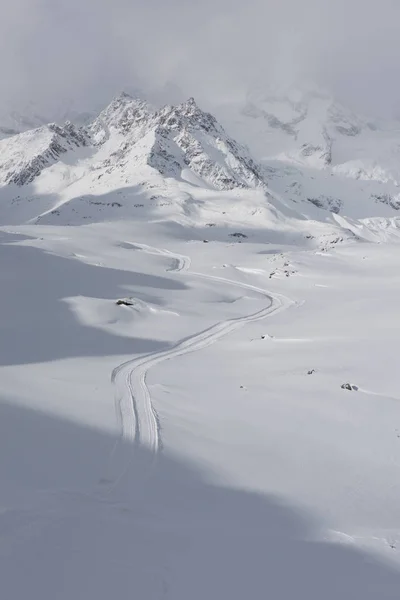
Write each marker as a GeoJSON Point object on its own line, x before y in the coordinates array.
{"type": "Point", "coordinates": [170, 140]}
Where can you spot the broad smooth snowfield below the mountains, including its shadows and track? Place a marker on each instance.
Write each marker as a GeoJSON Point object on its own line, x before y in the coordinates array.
{"type": "Point", "coordinates": [219, 464]}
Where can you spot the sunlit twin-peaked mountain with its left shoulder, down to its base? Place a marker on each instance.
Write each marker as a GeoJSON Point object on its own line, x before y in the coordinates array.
{"type": "Point", "coordinates": [176, 163]}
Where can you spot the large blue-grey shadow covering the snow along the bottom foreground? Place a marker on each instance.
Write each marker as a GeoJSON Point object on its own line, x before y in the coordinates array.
{"type": "Point", "coordinates": [171, 533]}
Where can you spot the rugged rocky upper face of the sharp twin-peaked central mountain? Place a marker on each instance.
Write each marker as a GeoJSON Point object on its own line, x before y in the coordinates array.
{"type": "Point", "coordinates": [174, 141]}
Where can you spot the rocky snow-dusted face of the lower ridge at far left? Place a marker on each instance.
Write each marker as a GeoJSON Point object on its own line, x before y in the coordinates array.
{"type": "Point", "coordinates": [23, 157]}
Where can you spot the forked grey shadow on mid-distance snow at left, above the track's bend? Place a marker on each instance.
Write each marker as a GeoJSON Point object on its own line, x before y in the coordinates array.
{"type": "Point", "coordinates": [37, 326]}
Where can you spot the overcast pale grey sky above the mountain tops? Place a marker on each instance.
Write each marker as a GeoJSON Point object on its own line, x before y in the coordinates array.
{"type": "Point", "coordinates": [52, 51]}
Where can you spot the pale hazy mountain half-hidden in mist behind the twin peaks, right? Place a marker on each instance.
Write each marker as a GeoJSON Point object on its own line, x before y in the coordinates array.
{"type": "Point", "coordinates": [317, 150]}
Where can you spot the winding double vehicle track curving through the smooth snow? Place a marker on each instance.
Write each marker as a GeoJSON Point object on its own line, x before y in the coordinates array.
{"type": "Point", "coordinates": [137, 417]}
